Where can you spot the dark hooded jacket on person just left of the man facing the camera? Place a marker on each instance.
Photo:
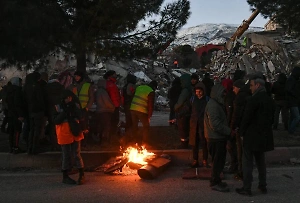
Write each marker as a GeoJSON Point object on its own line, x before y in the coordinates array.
{"type": "Point", "coordinates": [185, 94]}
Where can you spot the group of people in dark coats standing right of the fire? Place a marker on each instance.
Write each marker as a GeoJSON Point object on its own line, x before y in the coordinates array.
{"type": "Point", "coordinates": [235, 116]}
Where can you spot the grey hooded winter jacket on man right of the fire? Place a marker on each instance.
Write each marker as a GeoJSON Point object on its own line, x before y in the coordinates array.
{"type": "Point", "coordinates": [215, 119]}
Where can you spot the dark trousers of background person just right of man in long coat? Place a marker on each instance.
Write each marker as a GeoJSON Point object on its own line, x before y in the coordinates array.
{"type": "Point", "coordinates": [281, 106]}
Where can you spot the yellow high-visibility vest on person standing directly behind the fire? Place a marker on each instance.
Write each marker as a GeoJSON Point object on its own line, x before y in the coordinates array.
{"type": "Point", "coordinates": [140, 99]}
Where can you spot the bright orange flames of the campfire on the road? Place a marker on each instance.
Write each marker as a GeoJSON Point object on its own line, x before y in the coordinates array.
{"type": "Point", "coordinates": [139, 156]}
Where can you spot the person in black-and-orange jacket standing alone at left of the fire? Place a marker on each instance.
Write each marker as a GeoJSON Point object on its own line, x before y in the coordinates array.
{"type": "Point", "coordinates": [69, 135]}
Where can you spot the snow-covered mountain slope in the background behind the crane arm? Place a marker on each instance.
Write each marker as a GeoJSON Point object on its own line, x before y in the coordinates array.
{"type": "Point", "coordinates": [208, 34]}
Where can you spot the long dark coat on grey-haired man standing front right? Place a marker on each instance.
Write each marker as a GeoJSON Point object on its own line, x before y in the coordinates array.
{"type": "Point", "coordinates": [256, 126]}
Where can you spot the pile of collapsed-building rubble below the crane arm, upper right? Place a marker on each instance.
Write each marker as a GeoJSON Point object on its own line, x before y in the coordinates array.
{"type": "Point", "coordinates": [266, 52]}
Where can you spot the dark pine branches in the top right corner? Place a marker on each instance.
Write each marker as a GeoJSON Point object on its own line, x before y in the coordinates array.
{"type": "Point", "coordinates": [284, 12]}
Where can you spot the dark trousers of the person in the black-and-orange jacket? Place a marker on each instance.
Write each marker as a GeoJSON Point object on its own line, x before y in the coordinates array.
{"type": "Point", "coordinates": [70, 153]}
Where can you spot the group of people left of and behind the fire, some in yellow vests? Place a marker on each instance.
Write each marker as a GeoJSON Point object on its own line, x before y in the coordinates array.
{"type": "Point", "coordinates": [65, 110]}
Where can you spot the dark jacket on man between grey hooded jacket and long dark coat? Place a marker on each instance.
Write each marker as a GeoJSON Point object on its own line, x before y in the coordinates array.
{"type": "Point", "coordinates": [239, 105]}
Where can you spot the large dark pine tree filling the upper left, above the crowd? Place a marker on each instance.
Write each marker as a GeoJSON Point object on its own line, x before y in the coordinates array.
{"type": "Point", "coordinates": [30, 29]}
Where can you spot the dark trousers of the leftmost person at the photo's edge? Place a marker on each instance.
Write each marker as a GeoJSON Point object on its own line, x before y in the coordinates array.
{"type": "Point", "coordinates": [14, 132]}
